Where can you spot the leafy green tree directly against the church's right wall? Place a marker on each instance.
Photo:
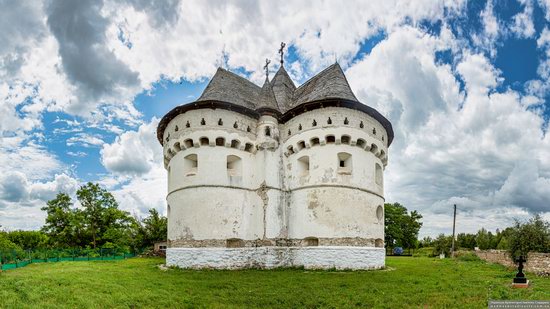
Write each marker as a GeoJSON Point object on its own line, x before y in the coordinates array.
{"type": "Point", "coordinates": [401, 228]}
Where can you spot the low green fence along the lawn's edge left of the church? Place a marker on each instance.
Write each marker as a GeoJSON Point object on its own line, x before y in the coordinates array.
{"type": "Point", "coordinates": [14, 259]}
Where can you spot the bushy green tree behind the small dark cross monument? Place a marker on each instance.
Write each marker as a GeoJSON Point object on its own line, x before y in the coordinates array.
{"type": "Point", "coordinates": [532, 236]}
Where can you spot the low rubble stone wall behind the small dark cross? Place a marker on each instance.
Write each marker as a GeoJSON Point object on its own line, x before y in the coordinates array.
{"type": "Point", "coordinates": [538, 263]}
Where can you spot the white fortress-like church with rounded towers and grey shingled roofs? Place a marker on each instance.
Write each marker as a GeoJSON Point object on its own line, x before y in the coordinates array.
{"type": "Point", "coordinates": [276, 176]}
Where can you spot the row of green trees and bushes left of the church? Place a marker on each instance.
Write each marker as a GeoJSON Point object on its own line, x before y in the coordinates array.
{"type": "Point", "coordinates": [96, 223]}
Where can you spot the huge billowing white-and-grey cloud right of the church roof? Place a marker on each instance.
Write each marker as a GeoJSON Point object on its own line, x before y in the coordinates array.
{"type": "Point", "coordinates": [467, 148]}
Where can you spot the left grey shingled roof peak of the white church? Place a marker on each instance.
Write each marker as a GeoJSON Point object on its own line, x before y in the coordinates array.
{"type": "Point", "coordinates": [229, 87]}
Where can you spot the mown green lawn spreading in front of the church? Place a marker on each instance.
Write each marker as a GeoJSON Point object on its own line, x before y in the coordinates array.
{"type": "Point", "coordinates": [139, 283]}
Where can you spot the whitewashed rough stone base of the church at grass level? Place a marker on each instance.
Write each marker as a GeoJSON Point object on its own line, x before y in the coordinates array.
{"type": "Point", "coordinates": [322, 257]}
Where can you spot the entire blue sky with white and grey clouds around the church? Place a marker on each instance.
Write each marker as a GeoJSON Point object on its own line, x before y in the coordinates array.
{"type": "Point", "coordinates": [465, 85]}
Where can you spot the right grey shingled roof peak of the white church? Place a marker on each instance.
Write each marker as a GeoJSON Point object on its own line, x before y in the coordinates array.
{"type": "Point", "coordinates": [328, 84]}
